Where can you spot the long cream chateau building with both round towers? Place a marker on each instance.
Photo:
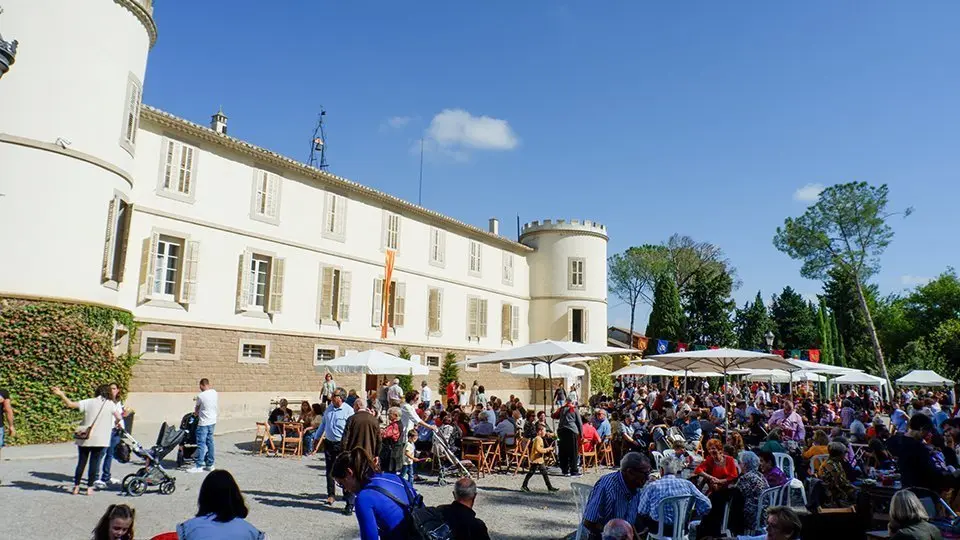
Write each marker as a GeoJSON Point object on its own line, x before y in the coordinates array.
{"type": "Point", "coordinates": [242, 265]}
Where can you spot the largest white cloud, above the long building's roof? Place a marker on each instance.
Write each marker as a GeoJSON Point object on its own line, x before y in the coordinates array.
{"type": "Point", "coordinates": [457, 129]}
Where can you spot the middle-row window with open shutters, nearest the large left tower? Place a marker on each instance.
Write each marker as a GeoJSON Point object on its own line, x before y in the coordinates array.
{"type": "Point", "coordinates": [169, 269]}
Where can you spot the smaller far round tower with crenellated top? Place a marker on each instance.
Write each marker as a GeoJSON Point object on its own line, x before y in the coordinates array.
{"type": "Point", "coordinates": [568, 280]}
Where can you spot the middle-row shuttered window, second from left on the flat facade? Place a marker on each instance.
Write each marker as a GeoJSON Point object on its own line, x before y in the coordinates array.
{"type": "Point", "coordinates": [260, 283]}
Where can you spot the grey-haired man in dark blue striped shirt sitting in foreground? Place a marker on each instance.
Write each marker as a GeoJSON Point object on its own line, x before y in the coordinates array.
{"type": "Point", "coordinates": [616, 495]}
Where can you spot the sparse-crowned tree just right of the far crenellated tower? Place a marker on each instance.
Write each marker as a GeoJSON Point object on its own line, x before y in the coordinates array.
{"type": "Point", "coordinates": [632, 275]}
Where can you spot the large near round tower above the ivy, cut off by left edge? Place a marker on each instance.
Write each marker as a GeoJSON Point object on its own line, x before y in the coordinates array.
{"type": "Point", "coordinates": [68, 134]}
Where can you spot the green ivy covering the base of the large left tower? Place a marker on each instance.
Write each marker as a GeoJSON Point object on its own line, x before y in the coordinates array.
{"type": "Point", "coordinates": [44, 344]}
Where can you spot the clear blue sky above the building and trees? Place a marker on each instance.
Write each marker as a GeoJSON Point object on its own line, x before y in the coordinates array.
{"type": "Point", "coordinates": [702, 118]}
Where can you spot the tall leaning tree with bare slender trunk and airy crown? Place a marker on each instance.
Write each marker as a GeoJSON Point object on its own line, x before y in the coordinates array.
{"type": "Point", "coordinates": [845, 230]}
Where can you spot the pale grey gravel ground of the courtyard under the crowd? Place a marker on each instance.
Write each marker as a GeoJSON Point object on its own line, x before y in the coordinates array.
{"type": "Point", "coordinates": [285, 496]}
